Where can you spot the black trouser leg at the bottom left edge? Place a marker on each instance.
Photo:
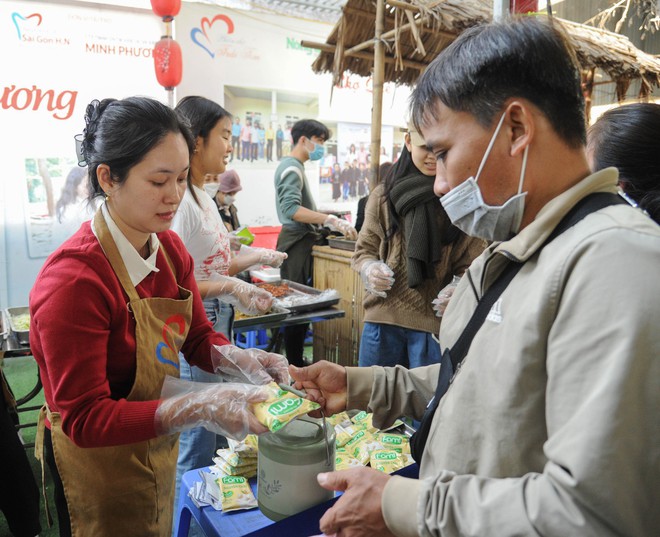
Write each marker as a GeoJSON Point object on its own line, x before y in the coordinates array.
{"type": "Point", "coordinates": [19, 494]}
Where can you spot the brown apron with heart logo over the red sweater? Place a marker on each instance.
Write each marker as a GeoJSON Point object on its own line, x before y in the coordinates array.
{"type": "Point", "coordinates": [129, 489]}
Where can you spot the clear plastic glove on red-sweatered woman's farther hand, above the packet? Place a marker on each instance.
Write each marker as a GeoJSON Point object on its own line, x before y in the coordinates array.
{"type": "Point", "coordinates": [253, 366]}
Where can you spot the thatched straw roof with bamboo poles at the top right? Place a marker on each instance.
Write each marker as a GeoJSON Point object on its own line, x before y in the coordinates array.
{"type": "Point", "coordinates": [417, 30]}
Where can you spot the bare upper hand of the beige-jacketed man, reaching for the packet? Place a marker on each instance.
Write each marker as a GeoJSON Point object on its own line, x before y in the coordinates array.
{"type": "Point", "coordinates": [325, 383]}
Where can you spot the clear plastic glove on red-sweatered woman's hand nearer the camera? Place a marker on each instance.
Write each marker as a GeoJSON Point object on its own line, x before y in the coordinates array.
{"type": "Point", "coordinates": [222, 408]}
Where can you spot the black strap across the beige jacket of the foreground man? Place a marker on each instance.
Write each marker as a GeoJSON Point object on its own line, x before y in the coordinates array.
{"type": "Point", "coordinates": [451, 359]}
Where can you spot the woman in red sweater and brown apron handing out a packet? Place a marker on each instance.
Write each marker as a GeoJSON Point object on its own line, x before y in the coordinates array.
{"type": "Point", "coordinates": [111, 308]}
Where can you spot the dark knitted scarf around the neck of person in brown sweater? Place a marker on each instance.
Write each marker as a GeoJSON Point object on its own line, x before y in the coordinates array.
{"type": "Point", "coordinates": [418, 206]}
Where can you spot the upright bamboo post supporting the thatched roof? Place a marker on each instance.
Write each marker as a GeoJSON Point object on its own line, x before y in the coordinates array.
{"type": "Point", "coordinates": [378, 78]}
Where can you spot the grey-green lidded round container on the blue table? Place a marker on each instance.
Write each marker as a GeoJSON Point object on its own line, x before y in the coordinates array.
{"type": "Point", "coordinates": [289, 461]}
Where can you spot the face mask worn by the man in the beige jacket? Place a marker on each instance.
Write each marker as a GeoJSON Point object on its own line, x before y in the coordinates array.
{"type": "Point", "coordinates": [467, 210]}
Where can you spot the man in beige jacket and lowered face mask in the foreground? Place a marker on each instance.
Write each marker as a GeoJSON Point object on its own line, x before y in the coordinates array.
{"type": "Point", "coordinates": [542, 418]}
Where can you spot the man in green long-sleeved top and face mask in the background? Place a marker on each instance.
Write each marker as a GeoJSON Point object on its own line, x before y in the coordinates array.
{"type": "Point", "coordinates": [300, 220]}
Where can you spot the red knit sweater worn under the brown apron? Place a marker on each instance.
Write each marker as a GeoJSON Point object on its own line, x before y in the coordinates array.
{"type": "Point", "coordinates": [83, 338]}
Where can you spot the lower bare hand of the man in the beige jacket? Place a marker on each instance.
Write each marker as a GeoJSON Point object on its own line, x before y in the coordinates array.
{"type": "Point", "coordinates": [357, 512]}
